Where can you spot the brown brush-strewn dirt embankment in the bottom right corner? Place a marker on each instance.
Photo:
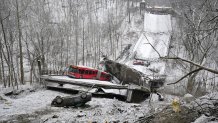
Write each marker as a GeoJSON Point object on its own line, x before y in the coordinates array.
{"type": "Point", "coordinates": [206, 106]}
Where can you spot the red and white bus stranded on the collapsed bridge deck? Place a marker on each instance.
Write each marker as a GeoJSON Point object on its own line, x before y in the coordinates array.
{"type": "Point", "coordinates": [82, 72]}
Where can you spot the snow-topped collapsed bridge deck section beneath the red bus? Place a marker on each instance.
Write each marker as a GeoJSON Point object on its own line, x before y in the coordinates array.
{"type": "Point", "coordinates": [131, 93]}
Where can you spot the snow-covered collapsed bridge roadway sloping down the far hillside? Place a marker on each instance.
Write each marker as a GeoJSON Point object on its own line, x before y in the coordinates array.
{"type": "Point", "coordinates": [152, 44]}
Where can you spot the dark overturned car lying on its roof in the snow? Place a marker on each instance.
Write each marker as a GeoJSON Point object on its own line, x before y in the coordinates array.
{"type": "Point", "coordinates": [75, 100]}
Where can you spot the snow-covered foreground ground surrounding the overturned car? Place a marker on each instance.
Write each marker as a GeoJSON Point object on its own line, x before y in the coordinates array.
{"type": "Point", "coordinates": [35, 107]}
